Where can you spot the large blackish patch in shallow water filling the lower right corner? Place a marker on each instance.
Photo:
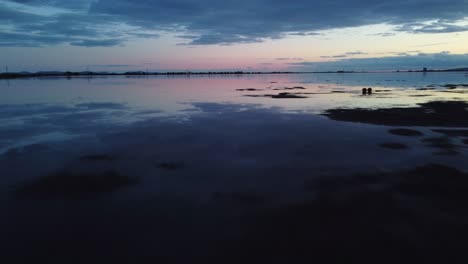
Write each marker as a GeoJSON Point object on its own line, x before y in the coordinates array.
{"type": "Point", "coordinates": [365, 217]}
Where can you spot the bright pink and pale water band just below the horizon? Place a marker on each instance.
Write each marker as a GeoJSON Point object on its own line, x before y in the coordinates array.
{"type": "Point", "coordinates": [174, 94]}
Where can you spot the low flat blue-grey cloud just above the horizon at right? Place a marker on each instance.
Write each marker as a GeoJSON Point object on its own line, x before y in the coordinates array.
{"type": "Point", "coordinates": [403, 61]}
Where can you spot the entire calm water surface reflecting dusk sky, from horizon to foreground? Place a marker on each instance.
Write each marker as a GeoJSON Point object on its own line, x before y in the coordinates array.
{"type": "Point", "coordinates": [126, 170]}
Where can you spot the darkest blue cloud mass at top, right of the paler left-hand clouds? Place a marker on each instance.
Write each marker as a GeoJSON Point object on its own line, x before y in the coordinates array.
{"type": "Point", "coordinates": [215, 22]}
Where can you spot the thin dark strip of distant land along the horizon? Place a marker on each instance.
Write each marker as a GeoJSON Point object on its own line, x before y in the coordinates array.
{"type": "Point", "coordinates": [69, 74]}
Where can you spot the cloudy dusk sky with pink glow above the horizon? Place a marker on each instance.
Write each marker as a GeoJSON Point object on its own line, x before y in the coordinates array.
{"type": "Point", "coordinates": [253, 35]}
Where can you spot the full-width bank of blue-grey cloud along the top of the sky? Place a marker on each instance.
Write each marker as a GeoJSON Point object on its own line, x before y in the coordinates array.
{"type": "Point", "coordinates": [232, 21]}
